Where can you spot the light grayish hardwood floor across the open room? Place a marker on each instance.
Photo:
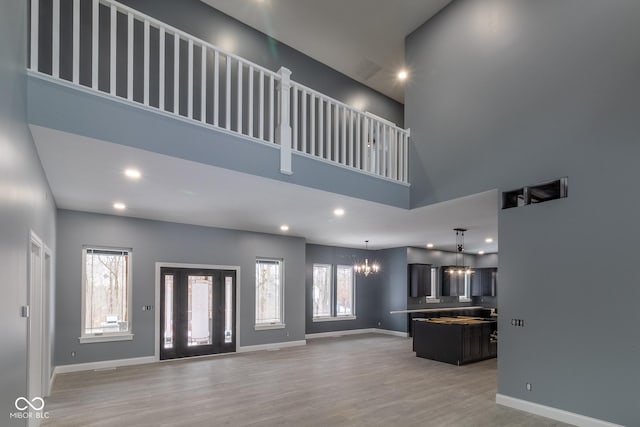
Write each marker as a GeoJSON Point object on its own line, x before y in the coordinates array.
{"type": "Point", "coordinates": [359, 380]}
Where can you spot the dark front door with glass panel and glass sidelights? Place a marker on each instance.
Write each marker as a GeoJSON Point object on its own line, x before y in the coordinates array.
{"type": "Point", "coordinates": [197, 312]}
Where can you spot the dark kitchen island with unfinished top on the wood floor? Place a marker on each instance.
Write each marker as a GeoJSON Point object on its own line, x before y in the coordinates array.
{"type": "Point", "coordinates": [456, 340]}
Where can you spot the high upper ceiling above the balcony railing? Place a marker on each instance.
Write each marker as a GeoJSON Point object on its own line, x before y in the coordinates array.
{"type": "Point", "coordinates": [351, 36]}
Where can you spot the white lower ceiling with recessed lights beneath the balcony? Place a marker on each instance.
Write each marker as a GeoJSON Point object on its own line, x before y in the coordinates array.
{"type": "Point", "coordinates": [87, 175]}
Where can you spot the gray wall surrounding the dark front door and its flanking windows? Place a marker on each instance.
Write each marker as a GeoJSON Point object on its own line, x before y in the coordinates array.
{"type": "Point", "coordinates": [154, 241]}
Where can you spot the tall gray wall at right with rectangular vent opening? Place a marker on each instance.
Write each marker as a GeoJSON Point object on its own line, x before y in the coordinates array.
{"type": "Point", "coordinates": [515, 93]}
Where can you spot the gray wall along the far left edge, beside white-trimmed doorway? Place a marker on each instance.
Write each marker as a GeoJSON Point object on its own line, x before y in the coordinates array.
{"type": "Point", "coordinates": [25, 204]}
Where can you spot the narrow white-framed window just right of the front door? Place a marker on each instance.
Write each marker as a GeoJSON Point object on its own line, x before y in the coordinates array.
{"type": "Point", "coordinates": [269, 294]}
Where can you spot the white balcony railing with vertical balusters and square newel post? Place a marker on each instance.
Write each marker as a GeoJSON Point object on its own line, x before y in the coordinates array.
{"type": "Point", "coordinates": [104, 46]}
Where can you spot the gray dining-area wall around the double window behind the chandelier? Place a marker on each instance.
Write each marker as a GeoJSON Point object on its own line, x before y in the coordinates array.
{"type": "Point", "coordinates": [367, 296]}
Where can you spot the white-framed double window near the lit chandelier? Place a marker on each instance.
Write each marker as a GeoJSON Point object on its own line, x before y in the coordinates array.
{"type": "Point", "coordinates": [333, 299]}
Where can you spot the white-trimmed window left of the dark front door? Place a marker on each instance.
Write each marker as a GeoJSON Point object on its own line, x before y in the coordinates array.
{"type": "Point", "coordinates": [106, 295]}
